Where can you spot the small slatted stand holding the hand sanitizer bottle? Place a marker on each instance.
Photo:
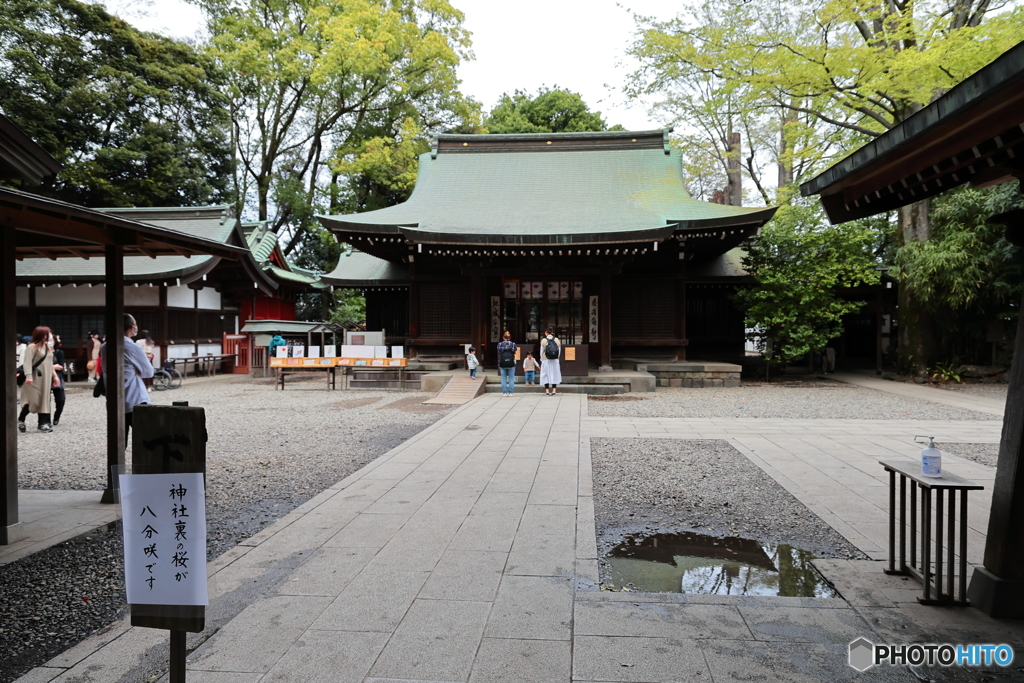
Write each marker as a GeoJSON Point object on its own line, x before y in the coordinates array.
{"type": "Point", "coordinates": [911, 469]}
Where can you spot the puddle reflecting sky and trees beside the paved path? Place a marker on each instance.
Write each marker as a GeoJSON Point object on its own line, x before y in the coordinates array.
{"type": "Point", "coordinates": [698, 564]}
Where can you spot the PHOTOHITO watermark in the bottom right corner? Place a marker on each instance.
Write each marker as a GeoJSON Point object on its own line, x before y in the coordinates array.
{"type": "Point", "coordinates": [865, 655]}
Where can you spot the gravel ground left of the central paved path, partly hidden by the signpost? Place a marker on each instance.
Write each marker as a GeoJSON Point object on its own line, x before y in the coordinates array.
{"type": "Point", "coordinates": [269, 453]}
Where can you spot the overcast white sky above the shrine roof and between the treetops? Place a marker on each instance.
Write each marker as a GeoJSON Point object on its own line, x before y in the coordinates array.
{"type": "Point", "coordinates": [573, 45]}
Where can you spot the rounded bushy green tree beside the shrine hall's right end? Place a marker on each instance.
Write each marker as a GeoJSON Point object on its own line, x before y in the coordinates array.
{"type": "Point", "coordinates": [799, 264]}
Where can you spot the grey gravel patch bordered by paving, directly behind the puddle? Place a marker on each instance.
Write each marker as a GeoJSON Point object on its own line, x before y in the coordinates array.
{"type": "Point", "coordinates": [652, 486]}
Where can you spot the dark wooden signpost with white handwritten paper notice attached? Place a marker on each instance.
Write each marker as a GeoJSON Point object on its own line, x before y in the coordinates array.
{"type": "Point", "coordinates": [165, 525]}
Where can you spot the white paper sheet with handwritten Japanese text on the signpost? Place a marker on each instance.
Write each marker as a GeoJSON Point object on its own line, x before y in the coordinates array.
{"type": "Point", "coordinates": [165, 539]}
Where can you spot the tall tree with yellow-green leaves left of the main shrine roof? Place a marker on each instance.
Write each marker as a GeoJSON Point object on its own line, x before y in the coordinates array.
{"type": "Point", "coordinates": [313, 81]}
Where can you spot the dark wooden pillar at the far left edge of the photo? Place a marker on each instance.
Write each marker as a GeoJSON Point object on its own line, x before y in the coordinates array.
{"type": "Point", "coordinates": [11, 529]}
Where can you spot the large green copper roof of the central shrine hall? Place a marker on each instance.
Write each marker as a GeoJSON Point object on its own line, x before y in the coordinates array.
{"type": "Point", "coordinates": [527, 194]}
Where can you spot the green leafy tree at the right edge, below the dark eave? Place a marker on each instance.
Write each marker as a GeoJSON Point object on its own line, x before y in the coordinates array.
{"type": "Point", "coordinates": [967, 273]}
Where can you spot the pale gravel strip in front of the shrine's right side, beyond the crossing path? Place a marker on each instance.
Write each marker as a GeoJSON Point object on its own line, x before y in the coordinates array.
{"type": "Point", "coordinates": [801, 400]}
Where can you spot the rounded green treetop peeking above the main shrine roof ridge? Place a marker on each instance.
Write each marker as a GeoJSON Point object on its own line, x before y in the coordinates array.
{"type": "Point", "coordinates": [551, 111]}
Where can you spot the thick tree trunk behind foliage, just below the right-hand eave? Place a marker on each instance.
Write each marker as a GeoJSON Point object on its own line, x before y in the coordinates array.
{"type": "Point", "coordinates": [917, 338]}
